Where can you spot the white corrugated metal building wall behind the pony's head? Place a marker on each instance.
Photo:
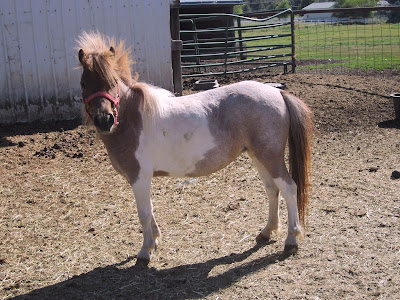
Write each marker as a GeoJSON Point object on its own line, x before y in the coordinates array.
{"type": "Point", "coordinates": [39, 78]}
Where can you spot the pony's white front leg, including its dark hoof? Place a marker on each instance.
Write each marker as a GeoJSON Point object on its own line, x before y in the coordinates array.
{"type": "Point", "coordinates": [141, 190]}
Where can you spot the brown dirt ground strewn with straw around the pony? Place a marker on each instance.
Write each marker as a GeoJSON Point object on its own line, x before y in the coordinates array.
{"type": "Point", "coordinates": [69, 227]}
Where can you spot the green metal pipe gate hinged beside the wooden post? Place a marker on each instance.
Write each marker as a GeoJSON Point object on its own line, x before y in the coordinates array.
{"type": "Point", "coordinates": [221, 44]}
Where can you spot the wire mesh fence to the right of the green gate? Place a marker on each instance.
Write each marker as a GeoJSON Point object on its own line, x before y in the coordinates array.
{"type": "Point", "coordinates": [332, 45]}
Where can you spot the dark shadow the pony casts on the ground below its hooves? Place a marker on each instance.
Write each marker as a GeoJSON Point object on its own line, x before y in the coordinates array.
{"type": "Point", "coordinates": [181, 282]}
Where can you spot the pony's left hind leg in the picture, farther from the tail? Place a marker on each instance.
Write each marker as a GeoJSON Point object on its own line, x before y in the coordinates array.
{"type": "Point", "coordinates": [272, 191]}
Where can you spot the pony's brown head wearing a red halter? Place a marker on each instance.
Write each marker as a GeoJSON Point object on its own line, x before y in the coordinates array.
{"type": "Point", "coordinates": [100, 91]}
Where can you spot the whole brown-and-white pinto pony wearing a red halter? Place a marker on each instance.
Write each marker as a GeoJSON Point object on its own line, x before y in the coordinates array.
{"type": "Point", "coordinates": [149, 132]}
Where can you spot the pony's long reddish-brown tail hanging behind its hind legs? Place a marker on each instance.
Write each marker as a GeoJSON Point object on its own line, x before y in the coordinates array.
{"type": "Point", "coordinates": [300, 138]}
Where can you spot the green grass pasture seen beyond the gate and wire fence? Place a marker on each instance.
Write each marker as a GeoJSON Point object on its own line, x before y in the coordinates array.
{"type": "Point", "coordinates": [371, 46]}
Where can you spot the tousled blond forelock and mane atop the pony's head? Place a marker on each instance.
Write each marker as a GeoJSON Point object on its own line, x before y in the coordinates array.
{"type": "Point", "coordinates": [110, 66]}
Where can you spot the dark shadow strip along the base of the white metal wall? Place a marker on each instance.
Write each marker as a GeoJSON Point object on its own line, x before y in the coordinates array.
{"type": "Point", "coordinates": [12, 130]}
